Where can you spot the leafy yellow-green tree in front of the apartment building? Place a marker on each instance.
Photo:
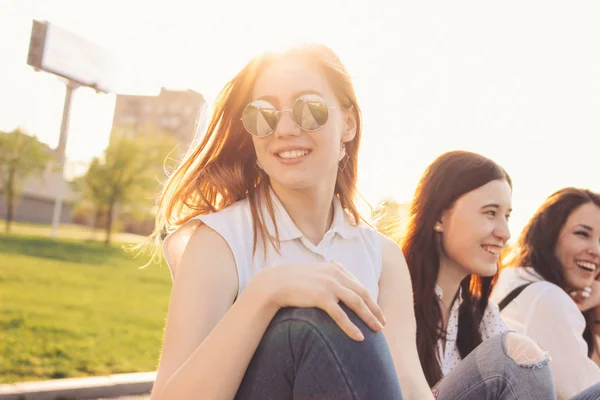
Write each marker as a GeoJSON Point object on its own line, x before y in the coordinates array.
{"type": "Point", "coordinates": [127, 175]}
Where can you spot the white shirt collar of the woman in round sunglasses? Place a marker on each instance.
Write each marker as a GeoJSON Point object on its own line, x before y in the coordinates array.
{"type": "Point", "coordinates": [289, 231]}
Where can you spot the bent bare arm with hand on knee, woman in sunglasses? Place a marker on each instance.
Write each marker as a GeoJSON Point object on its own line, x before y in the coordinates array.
{"type": "Point", "coordinates": [209, 342]}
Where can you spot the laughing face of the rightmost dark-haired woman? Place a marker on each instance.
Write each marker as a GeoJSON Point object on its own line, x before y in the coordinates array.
{"type": "Point", "coordinates": [578, 246]}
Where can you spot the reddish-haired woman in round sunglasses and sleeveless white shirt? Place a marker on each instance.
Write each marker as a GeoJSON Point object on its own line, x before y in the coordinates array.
{"type": "Point", "coordinates": [280, 290]}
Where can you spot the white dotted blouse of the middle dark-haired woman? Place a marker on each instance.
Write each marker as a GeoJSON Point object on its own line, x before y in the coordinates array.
{"type": "Point", "coordinates": [491, 325]}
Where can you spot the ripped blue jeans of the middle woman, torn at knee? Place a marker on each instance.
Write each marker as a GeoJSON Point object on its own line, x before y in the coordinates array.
{"type": "Point", "coordinates": [489, 373]}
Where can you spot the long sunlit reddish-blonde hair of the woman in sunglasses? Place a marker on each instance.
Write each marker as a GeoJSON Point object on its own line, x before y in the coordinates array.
{"type": "Point", "coordinates": [221, 169]}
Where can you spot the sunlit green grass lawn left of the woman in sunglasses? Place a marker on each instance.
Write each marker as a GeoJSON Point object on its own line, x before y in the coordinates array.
{"type": "Point", "coordinates": [73, 308]}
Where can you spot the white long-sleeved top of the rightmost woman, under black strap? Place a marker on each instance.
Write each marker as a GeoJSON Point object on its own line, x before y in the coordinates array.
{"type": "Point", "coordinates": [548, 315]}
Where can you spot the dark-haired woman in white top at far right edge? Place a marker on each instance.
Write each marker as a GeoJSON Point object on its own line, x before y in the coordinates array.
{"type": "Point", "coordinates": [545, 289]}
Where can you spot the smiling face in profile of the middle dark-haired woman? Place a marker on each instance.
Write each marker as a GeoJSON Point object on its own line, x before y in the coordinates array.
{"type": "Point", "coordinates": [475, 229]}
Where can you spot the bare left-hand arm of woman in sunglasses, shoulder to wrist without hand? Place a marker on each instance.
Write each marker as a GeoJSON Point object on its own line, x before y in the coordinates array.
{"type": "Point", "coordinates": [209, 342]}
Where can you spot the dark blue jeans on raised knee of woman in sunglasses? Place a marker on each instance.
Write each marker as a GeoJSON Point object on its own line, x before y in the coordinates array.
{"type": "Point", "coordinates": [305, 355]}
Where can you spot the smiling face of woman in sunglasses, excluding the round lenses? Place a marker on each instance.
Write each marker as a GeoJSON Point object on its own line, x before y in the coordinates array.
{"type": "Point", "coordinates": [291, 157]}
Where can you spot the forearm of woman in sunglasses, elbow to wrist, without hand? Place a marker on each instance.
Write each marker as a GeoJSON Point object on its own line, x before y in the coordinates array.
{"type": "Point", "coordinates": [216, 368]}
